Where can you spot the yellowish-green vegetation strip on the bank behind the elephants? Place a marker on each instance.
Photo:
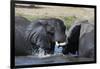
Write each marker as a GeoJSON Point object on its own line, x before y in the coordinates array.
{"type": "Point", "coordinates": [68, 20]}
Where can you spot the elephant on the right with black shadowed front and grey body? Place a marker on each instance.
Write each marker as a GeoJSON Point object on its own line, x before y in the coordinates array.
{"type": "Point", "coordinates": [80, 39]}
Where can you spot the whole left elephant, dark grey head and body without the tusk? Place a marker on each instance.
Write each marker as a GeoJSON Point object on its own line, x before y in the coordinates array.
{"type": "Point", "coordinates": [41, 33]}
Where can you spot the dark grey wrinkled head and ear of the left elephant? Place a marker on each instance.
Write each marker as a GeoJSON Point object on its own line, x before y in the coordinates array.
{"type": "Point", "coordinates": [43, 33]}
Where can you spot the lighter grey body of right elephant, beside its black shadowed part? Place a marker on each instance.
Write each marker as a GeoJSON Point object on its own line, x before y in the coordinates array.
{"type": "Point", "coordinates": [86, 40]}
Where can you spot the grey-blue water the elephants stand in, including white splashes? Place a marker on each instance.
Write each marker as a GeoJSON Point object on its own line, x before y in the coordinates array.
{"type": "Point", "coordinates": [58, 57]}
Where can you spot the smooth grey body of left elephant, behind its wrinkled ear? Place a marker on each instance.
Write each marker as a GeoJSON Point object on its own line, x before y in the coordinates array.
{"type": "Point", "coordinates": [21, 47]}
